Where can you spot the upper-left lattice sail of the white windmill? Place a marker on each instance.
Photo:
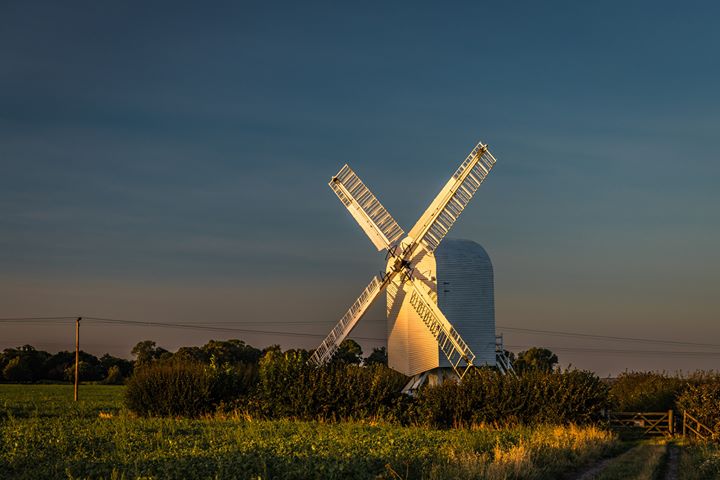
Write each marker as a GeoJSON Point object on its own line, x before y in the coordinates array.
{"type": "Point", "coordinates": [367, 210]}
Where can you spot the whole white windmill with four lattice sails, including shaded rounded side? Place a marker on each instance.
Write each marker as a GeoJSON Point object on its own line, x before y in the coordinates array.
{"type": "Point", "coordinates": [440, 303]}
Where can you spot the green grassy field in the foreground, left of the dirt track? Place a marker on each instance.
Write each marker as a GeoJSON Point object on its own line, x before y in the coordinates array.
{"type": "Point", "coordinates": [43, 434]}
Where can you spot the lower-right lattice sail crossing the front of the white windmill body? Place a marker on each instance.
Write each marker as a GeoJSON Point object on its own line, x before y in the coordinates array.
{"type": "Point", "coordinates": [449, 340]}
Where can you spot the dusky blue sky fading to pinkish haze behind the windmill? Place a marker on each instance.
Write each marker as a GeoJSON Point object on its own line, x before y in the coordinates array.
{"type": "Point", "coordinates": [169, 163]}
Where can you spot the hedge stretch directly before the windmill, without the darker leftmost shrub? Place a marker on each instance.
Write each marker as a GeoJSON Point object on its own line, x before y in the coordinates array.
{"type": "Point", "coordinates": [289, 387]}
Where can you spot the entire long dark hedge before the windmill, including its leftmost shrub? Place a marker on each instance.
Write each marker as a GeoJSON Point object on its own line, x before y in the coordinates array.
{"type": "Point", "coordinates": [284, 385]}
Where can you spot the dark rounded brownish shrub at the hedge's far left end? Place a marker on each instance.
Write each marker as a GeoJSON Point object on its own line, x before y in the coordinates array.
{"type": "Point", "coordinates": [183, 388]}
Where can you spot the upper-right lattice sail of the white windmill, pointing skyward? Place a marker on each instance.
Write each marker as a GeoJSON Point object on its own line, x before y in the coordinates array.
{"type": "Point", "coordinates": [452, 199]}
